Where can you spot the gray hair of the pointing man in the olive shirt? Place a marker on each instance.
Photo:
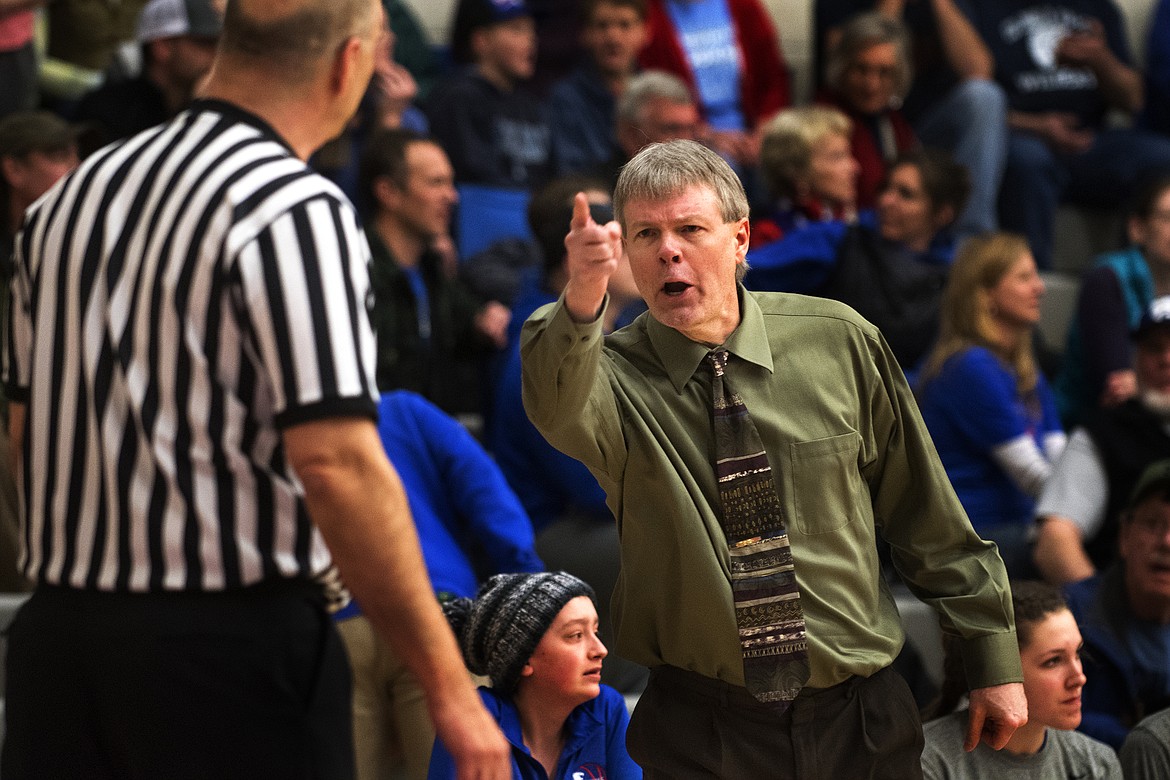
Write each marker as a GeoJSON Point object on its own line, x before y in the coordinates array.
{"type": "Point", "coordinates": [663, 171]}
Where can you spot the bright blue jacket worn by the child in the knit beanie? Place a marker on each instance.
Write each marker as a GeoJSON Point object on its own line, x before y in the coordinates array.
{"type": "Point", "coordinates": [595, 749]}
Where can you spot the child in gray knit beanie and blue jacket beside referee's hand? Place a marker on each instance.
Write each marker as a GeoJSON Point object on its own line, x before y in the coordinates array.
{"type": "Point", "coordinates": [535, 637]}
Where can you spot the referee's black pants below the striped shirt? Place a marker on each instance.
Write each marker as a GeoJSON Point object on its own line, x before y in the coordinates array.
{"type": "Point", "coordinates": [249, 685]}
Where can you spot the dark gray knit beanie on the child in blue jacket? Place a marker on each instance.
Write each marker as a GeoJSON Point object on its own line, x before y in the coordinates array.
{"type": "Point", "coordinates": [499, 632]}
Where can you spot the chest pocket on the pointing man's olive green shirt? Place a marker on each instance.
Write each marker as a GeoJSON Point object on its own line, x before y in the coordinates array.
{"type": "Point", "coordinates": [825, 484]}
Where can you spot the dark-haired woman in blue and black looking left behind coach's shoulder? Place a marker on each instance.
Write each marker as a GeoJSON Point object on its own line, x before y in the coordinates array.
{"type": "Point", "coordinates": [891, 266]}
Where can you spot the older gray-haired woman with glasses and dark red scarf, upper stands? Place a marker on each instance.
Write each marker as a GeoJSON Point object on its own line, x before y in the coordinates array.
{"type": "Point", "coordinates": [868, 74]}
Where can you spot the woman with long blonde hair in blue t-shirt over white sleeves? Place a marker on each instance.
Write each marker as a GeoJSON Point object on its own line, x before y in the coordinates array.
{"type": "Point", "coordinates": [983, 398]}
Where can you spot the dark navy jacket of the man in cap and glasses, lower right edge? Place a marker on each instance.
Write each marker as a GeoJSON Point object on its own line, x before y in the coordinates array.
{"type": "Point", "coordinates": [1119, 689]}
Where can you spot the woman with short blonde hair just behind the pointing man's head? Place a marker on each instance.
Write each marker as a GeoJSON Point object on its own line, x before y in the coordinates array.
{"type": "Point", "coordinates": [810, 171]}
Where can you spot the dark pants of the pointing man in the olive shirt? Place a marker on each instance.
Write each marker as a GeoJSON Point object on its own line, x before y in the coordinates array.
{"type": "Point", "coordinates": [689, 727]}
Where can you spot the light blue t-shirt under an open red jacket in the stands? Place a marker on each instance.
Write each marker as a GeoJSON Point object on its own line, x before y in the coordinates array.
{"type": "Point", "coordinates": [707, 36]}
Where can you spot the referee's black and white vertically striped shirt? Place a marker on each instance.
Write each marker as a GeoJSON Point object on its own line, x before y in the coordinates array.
{"type": "Point", "coordinates": [178, 301]}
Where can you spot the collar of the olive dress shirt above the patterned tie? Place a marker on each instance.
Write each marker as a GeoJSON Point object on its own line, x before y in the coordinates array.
{"type": "Point", "coordinates": [682, 357]}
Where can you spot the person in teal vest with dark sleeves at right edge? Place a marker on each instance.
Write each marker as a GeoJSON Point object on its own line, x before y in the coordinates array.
{"type": "Point", "coordinates": [1098, 369]}
